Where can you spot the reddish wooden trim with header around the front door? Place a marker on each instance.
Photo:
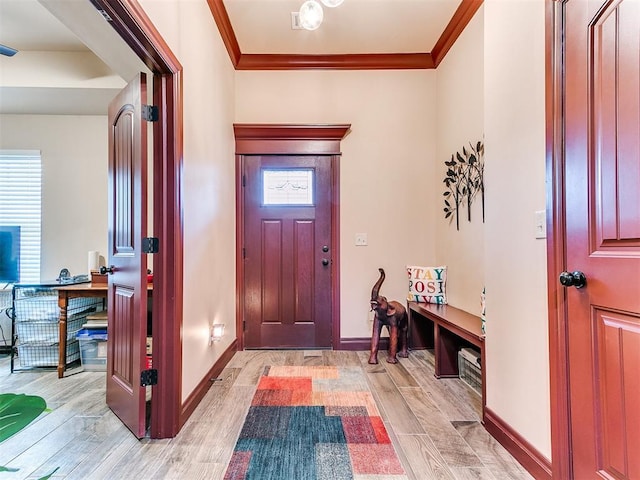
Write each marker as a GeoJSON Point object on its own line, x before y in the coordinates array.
{"type": "Point", "coordinates": [290, 139]}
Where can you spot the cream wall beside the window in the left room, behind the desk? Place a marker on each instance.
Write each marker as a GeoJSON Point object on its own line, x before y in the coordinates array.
{"type": "Point", "coordinates": [74, 152]}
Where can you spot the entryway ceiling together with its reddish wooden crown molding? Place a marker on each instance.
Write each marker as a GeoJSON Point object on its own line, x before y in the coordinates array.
{"type": "Point", "coordinates": [359, 34]}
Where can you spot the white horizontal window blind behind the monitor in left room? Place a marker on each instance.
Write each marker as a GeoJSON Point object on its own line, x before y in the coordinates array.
{"type": "Point", "coordinates": [21, 204]}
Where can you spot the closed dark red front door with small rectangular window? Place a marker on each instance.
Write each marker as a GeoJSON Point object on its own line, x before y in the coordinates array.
{"type": "Point", "coordinates": [287, 252]}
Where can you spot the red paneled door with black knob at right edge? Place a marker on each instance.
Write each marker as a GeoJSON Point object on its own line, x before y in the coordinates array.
{"type": "Point", "coordinates": [602, 185]}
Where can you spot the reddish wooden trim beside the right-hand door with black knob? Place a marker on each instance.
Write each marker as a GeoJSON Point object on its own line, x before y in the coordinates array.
{"type": "Point", "coordinates": [556, 243]}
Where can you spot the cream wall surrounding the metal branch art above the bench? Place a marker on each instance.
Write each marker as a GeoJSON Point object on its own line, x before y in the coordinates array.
{"type": "Point", "coordinates": [460, 115]}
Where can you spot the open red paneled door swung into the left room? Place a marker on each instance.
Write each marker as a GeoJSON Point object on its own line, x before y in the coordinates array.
{"type": "Point", "coordinates": [127, 300]}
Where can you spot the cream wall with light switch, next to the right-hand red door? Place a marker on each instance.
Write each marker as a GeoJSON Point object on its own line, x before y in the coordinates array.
{"type": "Point", "coordinates": [515, 261]}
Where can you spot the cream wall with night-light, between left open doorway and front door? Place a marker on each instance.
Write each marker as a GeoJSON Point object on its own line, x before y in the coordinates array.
{"type": "Point", "coordinates": [208, 188]}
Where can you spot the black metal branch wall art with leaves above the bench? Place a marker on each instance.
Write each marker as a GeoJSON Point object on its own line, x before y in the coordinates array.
{"type": "Point", "coordinates": [464, 180]}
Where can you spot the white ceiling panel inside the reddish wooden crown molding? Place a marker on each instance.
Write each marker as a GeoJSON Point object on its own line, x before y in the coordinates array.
{"type": "Point", "coordinates": [356, 26]}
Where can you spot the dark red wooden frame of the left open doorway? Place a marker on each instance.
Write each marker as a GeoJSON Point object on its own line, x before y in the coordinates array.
{"type": "Point", "coordinates": [136, 29]}
